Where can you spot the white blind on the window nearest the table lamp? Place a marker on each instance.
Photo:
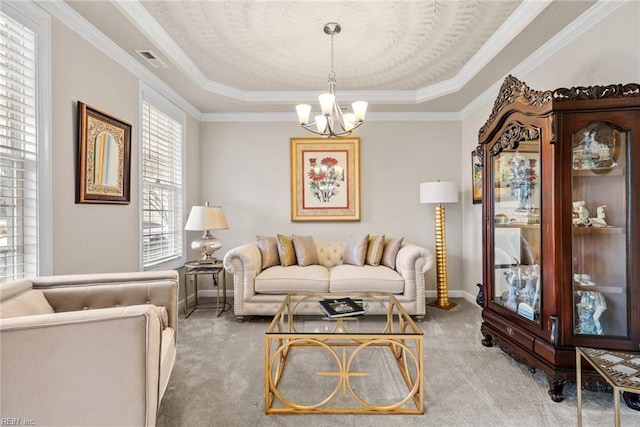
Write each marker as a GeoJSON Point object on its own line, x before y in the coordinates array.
{"type": "Point", "coordinates": [162, 139]}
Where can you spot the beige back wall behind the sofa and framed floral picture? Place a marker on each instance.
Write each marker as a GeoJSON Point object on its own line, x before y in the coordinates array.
{"type": "Point", "coordinates": [246, 169]}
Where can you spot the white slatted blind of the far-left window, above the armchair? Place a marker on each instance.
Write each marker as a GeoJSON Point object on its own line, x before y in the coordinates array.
{"type": "Point", "coordinates": [18, 151]}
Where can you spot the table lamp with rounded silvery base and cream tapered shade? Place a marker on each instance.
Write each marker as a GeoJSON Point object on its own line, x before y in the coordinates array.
{"type": "Point", "coordinates": [206, 218]}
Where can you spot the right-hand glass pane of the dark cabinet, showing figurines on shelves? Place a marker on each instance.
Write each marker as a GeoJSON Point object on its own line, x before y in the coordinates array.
{"type": "Point", "coordinates": [599, 230]}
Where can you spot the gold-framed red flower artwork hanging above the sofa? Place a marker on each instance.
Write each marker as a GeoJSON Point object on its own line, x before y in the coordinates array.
{"type": "Point", "coordinates": [325, 179]}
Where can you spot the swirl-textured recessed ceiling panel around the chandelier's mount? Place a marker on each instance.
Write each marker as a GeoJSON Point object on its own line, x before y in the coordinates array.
{"type": "Point", "coordinates": [280, 45]}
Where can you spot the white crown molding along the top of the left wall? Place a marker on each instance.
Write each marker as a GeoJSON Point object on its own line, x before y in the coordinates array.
{"type": "Point", "coordinates": [74, 21]}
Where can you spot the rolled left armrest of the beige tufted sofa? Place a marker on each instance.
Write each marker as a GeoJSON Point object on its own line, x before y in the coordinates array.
{"type": "Point", "coordinates": [245, 263]}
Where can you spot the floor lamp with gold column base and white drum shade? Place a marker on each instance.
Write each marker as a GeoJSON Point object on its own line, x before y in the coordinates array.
{"type": "Point", "coordinates": [439, 193]}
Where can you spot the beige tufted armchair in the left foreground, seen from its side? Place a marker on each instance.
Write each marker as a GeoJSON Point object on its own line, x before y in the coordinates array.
{"type": "Point", "coordinates": [94, 349]}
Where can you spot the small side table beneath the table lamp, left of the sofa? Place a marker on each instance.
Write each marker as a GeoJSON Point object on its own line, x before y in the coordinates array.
{"type": "Point", "coordinates": [194, 269]}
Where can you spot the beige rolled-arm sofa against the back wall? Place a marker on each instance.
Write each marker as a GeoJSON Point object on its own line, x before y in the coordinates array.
{"type": "Point", "coordinates": [259, 291]}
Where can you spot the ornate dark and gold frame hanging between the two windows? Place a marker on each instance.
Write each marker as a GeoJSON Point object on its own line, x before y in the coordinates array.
{"type": "Point", "coordinates": [103, 158]}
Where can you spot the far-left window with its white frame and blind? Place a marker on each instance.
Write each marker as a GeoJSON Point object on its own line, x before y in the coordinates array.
{"type": "Point", "coordinates": [24, 245]}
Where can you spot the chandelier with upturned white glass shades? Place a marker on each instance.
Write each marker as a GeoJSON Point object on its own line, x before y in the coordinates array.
{"type": "Point", "coordinates": [332, 121]}
